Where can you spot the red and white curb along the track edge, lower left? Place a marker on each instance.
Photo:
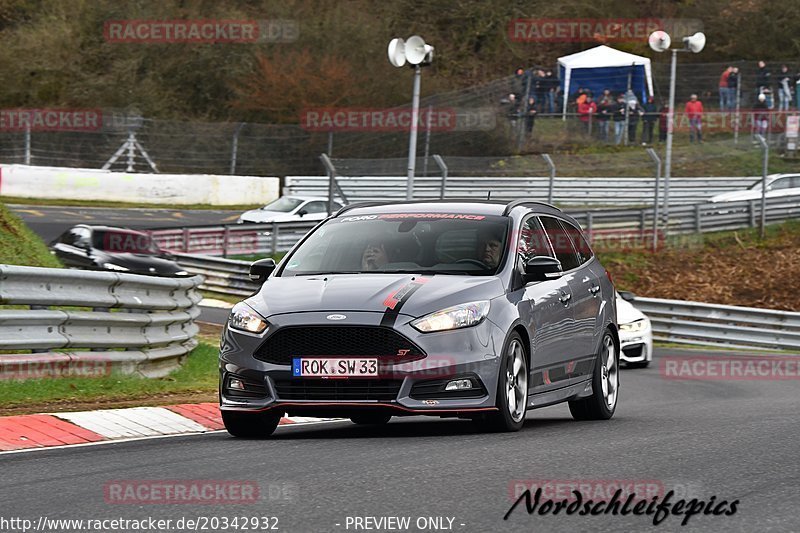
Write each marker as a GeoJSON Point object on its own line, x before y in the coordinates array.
{"type": "Point", "coordinates": [59, 429]}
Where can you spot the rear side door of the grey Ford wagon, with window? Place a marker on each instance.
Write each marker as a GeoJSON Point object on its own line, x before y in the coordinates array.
{"type": "Point", "coordinates": [586, 297]}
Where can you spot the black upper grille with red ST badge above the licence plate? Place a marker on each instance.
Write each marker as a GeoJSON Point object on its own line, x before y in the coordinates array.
{"type": "Point", "coordinates": [337, 341]}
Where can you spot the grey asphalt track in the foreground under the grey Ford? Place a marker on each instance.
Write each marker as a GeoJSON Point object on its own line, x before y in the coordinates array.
{"type": "Point", "coordinates": [729, 439]}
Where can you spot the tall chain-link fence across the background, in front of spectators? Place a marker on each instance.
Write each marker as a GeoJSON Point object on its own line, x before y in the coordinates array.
{"type": "Point", "coordinates": [483, 125]}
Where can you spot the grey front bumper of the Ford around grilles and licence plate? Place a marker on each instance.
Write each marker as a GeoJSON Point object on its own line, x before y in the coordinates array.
{"type": "Point", "coordinates": [404, 385]}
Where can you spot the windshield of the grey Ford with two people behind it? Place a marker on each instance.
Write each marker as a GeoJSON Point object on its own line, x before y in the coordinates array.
{"type": "Point", "coordinates": [435, 243]}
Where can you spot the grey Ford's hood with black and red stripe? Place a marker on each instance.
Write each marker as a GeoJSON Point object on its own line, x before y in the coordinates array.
{"type": "Point", "coordinates": [406, 294]}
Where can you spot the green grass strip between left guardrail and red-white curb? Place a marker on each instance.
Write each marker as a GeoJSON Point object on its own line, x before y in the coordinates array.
{"type": "Point", "coordinates": [197, 375]}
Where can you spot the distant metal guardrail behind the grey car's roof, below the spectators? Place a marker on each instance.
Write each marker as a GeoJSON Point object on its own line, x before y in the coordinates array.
{"type": "Point", "coordinates": [567, 191]}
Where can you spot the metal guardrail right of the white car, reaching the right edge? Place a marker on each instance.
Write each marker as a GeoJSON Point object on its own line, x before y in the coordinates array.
{"type": "Point", "coordinates": [721, 325]}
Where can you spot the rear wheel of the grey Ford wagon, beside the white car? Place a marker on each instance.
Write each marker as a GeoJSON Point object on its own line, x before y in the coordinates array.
{"type": "Point", "coordinates": [605, 385]}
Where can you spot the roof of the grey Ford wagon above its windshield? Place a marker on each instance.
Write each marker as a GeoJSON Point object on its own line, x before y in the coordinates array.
{"type": "Point", "coordinates": [477, 207]}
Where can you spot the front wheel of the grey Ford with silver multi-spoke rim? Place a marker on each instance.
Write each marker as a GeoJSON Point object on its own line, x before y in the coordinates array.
{"type": "Point", "coordinates": [512, 390]}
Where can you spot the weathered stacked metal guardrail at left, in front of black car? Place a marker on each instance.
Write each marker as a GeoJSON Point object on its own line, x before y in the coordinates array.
{"type": "Point", "coordinates": [56, 322]}
